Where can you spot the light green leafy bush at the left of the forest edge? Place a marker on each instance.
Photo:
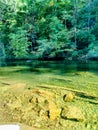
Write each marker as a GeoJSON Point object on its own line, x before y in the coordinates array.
{"type": "Point", "coordinates": [19, 43]}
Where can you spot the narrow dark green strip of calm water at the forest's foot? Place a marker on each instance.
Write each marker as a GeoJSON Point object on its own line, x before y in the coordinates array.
{"type": "Point", "coordinates": [59, 65]}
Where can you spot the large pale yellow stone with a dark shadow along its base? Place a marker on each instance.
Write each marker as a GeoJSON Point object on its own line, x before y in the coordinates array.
{"type": "Point", "coordinates": [72, 113]}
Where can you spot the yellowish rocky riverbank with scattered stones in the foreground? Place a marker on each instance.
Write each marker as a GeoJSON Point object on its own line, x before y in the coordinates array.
{"type": "Point", "coordinates": [48, 107]}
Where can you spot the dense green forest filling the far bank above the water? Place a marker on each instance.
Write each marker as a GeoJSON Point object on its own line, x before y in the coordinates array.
{"type": "Point", "coordinates": [48, 29]}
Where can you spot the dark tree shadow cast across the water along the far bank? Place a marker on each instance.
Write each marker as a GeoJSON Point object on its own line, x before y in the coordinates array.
{"type": "Point", "coordinates": [56, 67]}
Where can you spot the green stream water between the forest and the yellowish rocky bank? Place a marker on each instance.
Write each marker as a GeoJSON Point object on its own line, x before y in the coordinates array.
{"type": "Point", "coordinates": [78, 75]}
